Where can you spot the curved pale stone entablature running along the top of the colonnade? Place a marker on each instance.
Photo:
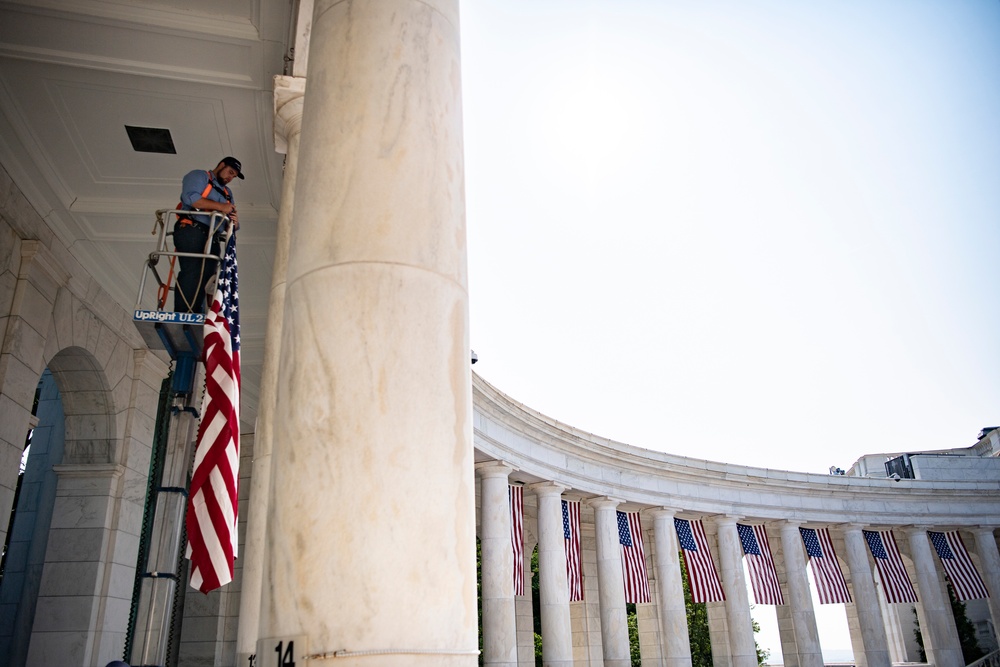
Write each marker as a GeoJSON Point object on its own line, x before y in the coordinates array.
{"type": "Point", "coordinates": [541, 448]}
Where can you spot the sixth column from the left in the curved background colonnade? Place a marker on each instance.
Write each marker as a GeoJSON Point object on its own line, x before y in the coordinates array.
{"type": "Point", "coordinates": [798, 597]}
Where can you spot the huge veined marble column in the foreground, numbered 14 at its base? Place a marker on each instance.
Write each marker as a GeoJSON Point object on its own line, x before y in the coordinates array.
{"type": "Point", "coordinates": [370, 546]}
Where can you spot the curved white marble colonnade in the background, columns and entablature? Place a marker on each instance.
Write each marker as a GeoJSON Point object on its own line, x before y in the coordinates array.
{"type": "Point", "coordinates": [519, 446]}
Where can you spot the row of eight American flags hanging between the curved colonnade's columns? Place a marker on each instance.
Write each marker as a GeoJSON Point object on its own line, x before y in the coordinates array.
{"type": "Point", "coordinates": [704, 580]}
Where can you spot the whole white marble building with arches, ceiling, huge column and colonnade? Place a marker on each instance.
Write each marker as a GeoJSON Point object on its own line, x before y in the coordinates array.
{"type": "Point", "coordinates": [371, 456]}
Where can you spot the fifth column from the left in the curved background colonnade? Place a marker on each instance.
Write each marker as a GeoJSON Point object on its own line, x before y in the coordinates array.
{"type": "Point", "coordinates": [741, 643]}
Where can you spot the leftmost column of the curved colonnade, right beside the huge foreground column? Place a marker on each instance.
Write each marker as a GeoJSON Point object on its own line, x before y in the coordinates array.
{"type": "Point", "coordinates": [497, 563]}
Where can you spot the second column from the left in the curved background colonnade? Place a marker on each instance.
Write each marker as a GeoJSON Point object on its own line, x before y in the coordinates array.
{"type": "Point", "coordinates": [557, 632]}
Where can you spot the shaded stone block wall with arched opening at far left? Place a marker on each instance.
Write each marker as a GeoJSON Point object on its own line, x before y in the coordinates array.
{"type": "Point", "coordinates": [54, 315]}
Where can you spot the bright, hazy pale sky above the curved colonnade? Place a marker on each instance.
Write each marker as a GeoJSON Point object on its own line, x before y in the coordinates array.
{"type": "Point", "coordinates": [756, 232]}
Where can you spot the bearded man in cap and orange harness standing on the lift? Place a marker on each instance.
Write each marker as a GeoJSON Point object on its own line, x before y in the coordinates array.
{"type": "Point", "coordinates": [207, 191]}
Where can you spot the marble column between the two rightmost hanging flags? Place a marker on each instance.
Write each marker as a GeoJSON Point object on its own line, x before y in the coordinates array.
{"type": "Point", "coordinates": [941, 641]}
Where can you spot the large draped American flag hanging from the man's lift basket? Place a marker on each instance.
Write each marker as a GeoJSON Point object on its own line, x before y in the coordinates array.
{"type": "Point", "coordinates": [211, 512]}
